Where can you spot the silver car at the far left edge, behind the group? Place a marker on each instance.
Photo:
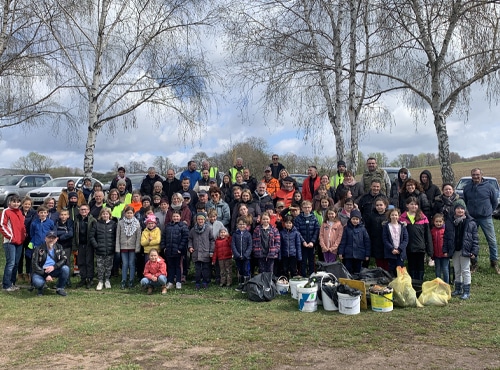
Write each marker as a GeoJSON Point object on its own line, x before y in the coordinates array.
{"type": "Point", "coordinates": [20, 185]}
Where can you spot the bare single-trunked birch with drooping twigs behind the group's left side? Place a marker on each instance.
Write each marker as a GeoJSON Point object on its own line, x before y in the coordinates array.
{"type": "Point", "coordinates": [122, 54]}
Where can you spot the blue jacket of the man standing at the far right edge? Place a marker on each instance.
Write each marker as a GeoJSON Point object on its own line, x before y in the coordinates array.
{"type": "Point", "coordinates": [481, 199]}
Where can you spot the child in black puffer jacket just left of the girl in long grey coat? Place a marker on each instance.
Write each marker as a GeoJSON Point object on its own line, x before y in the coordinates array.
{"type": "Point", "coordinates": [103, 239]}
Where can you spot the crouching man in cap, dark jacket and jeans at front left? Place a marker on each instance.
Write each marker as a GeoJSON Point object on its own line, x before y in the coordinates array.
{"type": "Point", "coordinates": [48, 262]}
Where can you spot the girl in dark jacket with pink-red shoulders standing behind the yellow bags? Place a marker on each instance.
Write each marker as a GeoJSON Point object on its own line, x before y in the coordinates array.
{"type": "Point", "coordinates": [419, 238]}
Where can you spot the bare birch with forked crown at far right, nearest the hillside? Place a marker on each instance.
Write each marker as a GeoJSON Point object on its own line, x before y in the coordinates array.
{"type": "Point", "coordinates": [436, 50]}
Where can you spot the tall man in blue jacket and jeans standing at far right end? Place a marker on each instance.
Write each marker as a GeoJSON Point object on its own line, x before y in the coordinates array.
{"type": "Point", "coordinates": [481, 200]}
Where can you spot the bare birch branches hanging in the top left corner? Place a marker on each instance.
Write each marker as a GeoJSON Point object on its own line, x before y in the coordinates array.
{"type": "Point", "coordinates": [28, 86]}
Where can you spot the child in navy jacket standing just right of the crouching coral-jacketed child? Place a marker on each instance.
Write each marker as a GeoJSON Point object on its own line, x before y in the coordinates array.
{"type": "Point", "coordinates": [174, 241]}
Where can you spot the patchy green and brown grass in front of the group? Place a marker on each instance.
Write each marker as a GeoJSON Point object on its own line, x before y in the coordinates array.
{"type": "Point", "coordinates": [220, 329]}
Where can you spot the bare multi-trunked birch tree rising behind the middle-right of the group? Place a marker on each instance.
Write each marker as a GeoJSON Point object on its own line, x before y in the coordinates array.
{"type": "Point", "coordinates": [305, 55]}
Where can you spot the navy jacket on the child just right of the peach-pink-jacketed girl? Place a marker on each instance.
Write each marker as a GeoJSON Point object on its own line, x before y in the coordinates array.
{"type": "Point", "coordinates": [355, 242]}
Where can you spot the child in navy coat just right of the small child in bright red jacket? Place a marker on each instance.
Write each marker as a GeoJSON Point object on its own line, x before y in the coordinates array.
{"type": "Point", "coordinates": [241, 244]}
